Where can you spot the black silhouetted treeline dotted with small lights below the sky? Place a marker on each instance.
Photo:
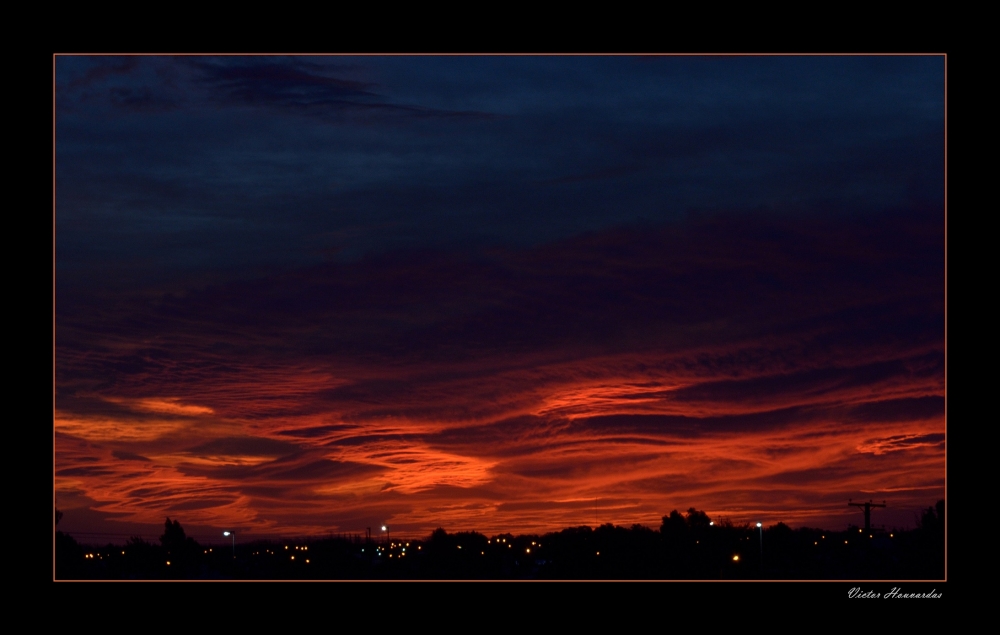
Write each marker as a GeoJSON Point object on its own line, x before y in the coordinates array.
{"type": "Point", "coordinates": [688, 546]}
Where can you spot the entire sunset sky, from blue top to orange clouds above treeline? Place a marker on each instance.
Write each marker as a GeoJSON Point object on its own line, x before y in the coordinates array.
{"type": "Point", "coordinates": [301, 295]}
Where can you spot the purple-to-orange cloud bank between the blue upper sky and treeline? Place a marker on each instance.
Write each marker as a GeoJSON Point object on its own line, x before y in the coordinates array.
{"type": "Point", "coordinates": [527, 391]}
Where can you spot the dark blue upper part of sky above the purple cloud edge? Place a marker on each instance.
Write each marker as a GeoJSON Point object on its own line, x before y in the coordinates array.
{"type": "Point", "coordinates": [173, 169]}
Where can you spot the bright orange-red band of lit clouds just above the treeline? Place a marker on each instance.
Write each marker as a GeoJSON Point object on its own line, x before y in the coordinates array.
{"type": "Point", "coordinates": [278, 474]}
